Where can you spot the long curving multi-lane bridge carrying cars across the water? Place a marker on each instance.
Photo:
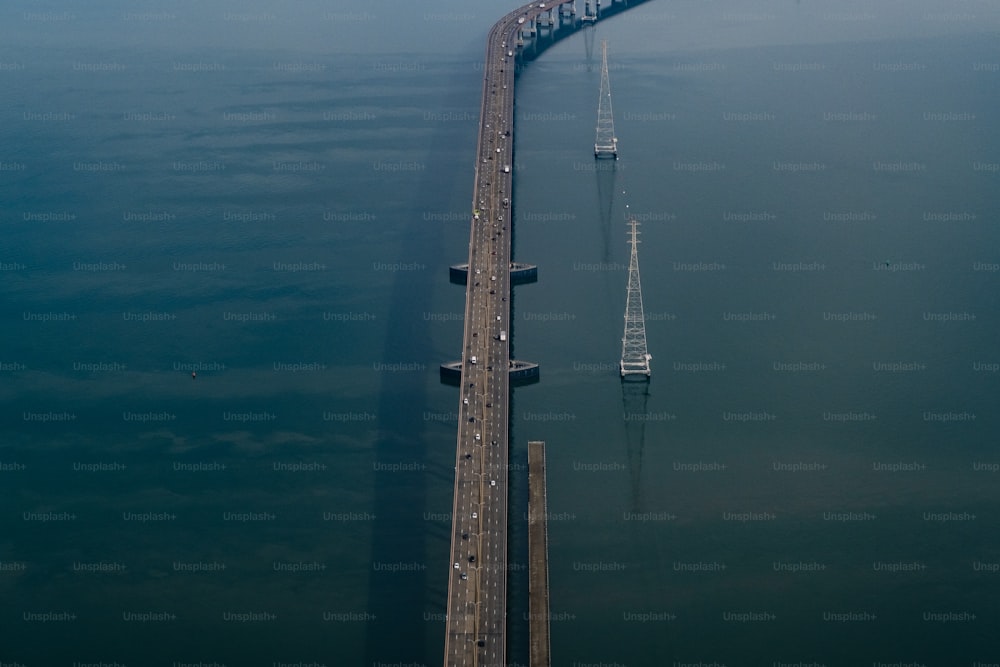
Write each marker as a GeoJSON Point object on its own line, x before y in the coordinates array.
{"type": "Point", "coordinates": [477, 586]}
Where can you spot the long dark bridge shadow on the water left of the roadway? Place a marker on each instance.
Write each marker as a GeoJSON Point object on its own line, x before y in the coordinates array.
{"type": "Point", "coordinates": [401, 629]}
